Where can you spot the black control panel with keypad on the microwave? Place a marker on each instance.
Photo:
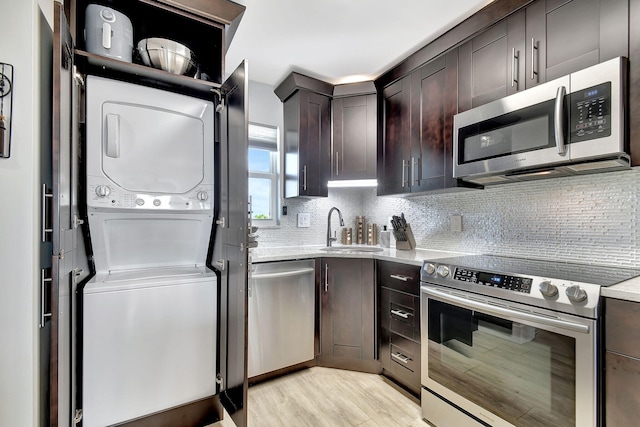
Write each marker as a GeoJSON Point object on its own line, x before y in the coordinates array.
{"type": "Point", "coordinates": [590, 113]}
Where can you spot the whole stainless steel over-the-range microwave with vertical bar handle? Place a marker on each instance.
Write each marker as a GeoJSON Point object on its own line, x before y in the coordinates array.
{"type": "Point", "coordinates": [571, 125]}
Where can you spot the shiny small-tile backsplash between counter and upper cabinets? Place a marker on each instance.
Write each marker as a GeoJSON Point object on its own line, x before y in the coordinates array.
{"type": "Point", "coordinates": [583, 219]}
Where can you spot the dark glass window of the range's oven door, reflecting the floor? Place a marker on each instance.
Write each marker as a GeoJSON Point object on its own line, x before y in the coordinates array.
{"type": "Point", "coordinates": [524, 375]}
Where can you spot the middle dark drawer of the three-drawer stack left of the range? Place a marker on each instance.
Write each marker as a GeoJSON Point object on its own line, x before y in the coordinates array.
{"type": "Point", "coordinates": [400, 313]}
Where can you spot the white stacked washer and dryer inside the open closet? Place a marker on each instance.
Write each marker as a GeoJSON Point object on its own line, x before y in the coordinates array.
{"type": "Point", "coordinates": [149, 314]}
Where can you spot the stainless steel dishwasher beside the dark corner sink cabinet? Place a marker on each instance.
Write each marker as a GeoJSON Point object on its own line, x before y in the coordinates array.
{"type": "Point", "coordinates": [281, 315]}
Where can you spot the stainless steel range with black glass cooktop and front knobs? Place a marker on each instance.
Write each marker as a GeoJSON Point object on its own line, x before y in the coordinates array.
{"type": "Point", "coordinates": [510, 341]}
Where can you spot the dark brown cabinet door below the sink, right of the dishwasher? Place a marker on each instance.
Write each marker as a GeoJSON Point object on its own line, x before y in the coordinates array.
{"type": "Point", "coordinates": [347, 318]}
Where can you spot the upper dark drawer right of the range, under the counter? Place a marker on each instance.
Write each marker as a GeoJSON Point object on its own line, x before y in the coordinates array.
{"type": "Point", "coordinates": [622, 334]}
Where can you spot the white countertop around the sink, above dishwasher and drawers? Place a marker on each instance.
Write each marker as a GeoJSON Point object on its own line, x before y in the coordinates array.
{"type": "Point", "coordinates": [413, 257]}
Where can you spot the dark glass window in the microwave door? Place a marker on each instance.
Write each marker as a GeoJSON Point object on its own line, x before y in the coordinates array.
{"type": "Point", "coordinates": [520, 131]}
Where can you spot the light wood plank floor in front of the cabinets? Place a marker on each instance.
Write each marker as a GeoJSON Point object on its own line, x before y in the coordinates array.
{"type": "Point", "coordinates": [318, 397]}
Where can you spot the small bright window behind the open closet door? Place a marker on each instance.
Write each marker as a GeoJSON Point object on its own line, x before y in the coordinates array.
{"type": "Point", "coordinates": [263, 174]}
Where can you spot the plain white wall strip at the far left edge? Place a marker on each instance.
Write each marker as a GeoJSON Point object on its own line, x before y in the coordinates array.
{"type": "Point", "coordinates": [19, 218]}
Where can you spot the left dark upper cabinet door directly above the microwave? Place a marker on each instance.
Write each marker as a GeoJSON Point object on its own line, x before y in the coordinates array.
{"type": "Point", "coordinates": [492, 63]}
